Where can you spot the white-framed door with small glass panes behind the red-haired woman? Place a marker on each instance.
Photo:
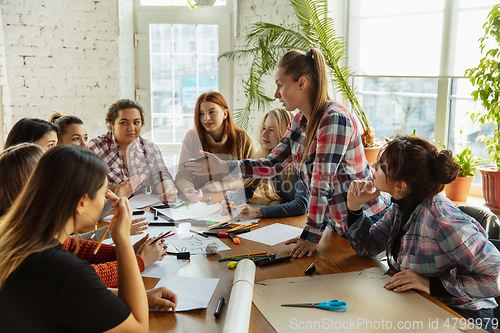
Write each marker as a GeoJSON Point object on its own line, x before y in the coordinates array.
{"type": "Point", "coordinates": [177, 61]}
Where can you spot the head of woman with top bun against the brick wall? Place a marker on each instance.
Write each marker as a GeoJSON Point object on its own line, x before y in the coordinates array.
{"type": "Point", "coordinates": [70, 129]}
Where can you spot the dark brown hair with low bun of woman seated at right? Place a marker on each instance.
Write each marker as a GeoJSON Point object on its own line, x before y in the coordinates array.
{"type": "Point", "coordinates": [418, 163]}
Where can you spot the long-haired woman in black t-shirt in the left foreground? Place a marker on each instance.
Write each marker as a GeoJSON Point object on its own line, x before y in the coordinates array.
{"type": "Point", "coordinates": [45, 288]}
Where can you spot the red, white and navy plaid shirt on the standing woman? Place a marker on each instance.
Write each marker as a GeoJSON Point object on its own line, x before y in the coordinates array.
{"type": "Point", "coordinates": [336, 157]}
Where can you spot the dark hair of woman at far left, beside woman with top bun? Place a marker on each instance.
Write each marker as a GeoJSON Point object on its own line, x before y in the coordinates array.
{"type": "Point", "coordinates": [28, 130]}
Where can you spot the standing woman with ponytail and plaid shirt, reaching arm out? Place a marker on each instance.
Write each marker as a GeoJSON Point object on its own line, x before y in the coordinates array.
{"type": "Point", "coordinates": [322, 141]}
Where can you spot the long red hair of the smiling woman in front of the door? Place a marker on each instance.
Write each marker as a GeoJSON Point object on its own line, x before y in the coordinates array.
{"type": "Point", "coordinates": [228, 125]}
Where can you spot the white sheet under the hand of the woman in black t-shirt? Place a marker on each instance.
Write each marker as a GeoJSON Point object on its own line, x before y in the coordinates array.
{"type": "Point", "coordinates": [192, 293]}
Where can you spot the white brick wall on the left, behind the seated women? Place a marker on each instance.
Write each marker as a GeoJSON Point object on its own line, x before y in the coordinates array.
{"type": "Point", "coordinates": [61, 56]}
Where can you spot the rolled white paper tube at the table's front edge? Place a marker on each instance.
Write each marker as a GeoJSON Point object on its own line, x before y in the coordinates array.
{"type": "Point", "coordinates": [240, 301]}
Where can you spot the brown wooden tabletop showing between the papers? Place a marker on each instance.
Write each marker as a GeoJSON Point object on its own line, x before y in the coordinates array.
{"type": "Point", "coordinates": [334, 255]}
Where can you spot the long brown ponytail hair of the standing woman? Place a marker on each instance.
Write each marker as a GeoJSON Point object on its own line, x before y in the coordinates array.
{"type": "Point", "coordinates": [311, 65]}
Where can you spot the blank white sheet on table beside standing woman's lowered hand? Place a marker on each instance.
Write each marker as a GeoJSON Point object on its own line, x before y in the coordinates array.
{"type": "Point", "coordinates": [272, 234]}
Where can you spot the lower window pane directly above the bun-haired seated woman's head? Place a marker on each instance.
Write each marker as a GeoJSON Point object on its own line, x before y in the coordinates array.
{"type": "Point", "coordinates": [399, 105]}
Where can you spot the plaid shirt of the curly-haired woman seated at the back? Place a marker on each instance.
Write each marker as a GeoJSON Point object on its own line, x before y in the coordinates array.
{"type": "Point", "coordinates": [144, 159]}
